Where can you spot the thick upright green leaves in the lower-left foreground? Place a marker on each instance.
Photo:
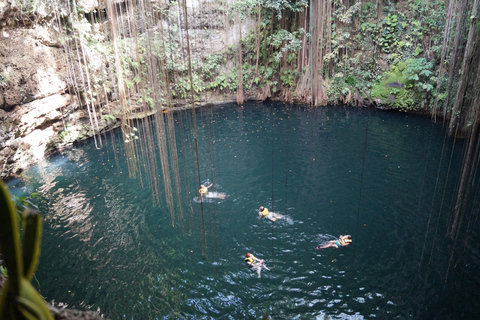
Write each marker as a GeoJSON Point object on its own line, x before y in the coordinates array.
{"type": "Point", "coordinates": [19, 299]}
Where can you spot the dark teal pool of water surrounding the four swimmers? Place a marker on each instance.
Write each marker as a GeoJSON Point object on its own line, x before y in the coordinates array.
{"type": "Point", "coordinates": [388, 179]}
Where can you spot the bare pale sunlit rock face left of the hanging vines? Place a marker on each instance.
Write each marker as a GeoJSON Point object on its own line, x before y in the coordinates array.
{"type": "Point", "coordinates": [37, 112]}
